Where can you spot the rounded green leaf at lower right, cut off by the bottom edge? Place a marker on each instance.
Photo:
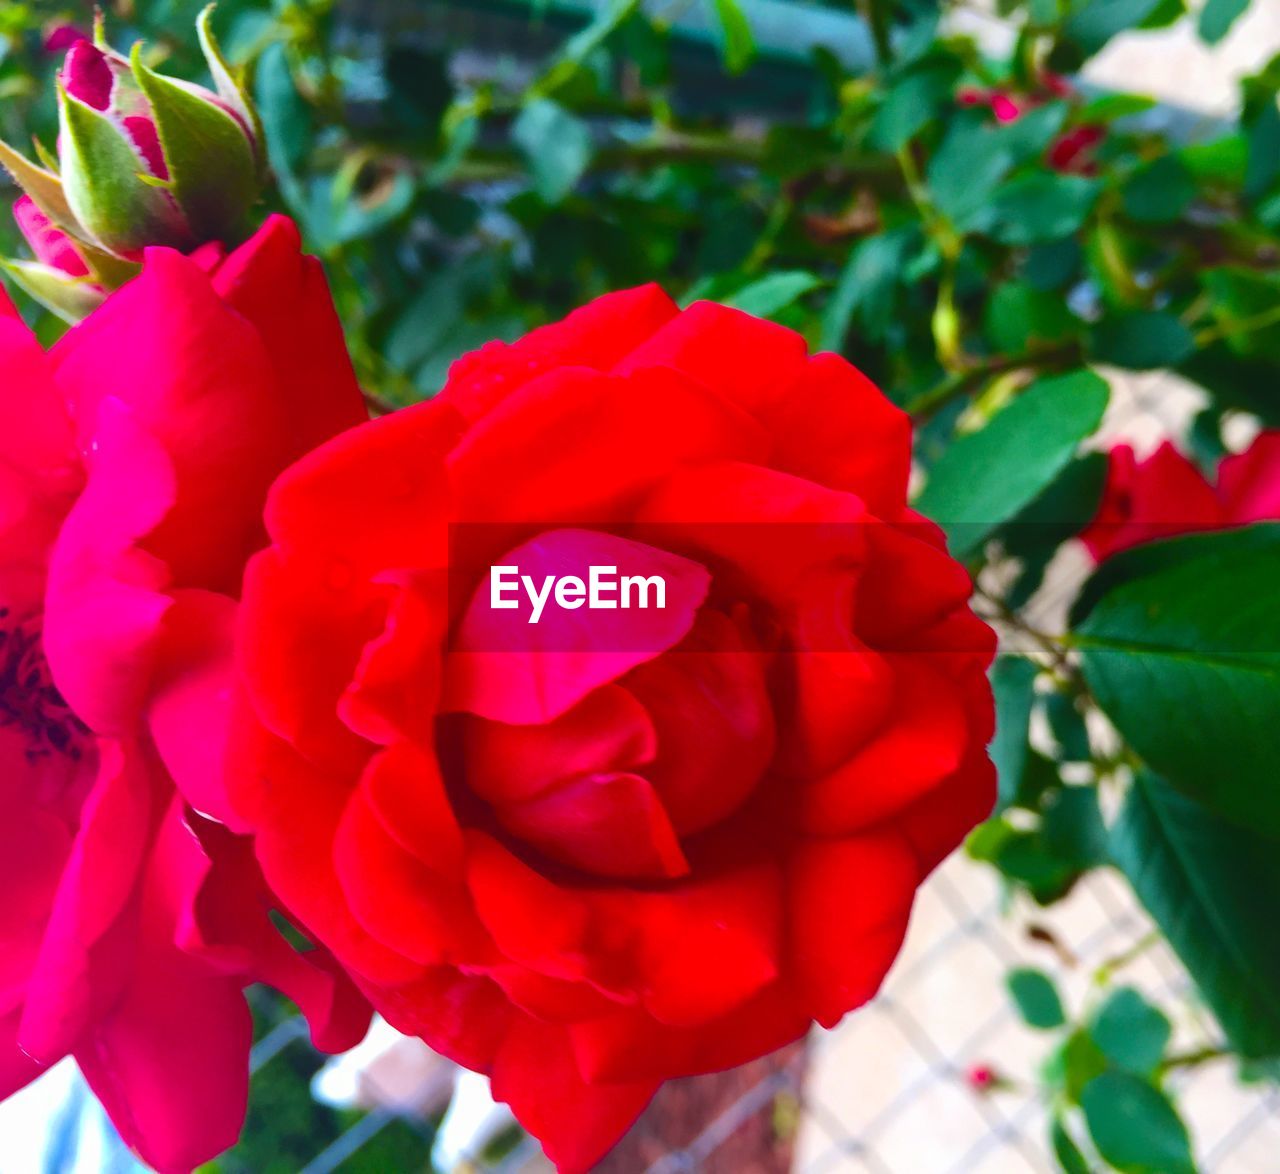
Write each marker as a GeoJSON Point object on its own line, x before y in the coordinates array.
{"type": "Point", "coordinates": [1136, 1127]}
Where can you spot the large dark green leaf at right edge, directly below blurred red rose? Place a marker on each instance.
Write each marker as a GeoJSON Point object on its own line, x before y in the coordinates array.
{"type": "Point", "coordinates": [1182, 651]}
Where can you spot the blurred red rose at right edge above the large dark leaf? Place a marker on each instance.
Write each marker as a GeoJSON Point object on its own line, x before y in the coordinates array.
{"type": "Point", "coordinates": [1167, 495]}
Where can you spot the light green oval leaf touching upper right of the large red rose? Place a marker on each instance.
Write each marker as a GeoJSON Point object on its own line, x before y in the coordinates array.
{"type": "Point", "coordinates": [986, 478]}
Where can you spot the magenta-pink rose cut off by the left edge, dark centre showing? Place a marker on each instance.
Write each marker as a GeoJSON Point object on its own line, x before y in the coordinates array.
{"type": "Point", "coordinates": [135, 458]}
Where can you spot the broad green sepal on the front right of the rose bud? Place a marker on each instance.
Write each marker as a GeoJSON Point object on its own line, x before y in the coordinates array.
{"type": "Point", "coordinates": [213, 171]}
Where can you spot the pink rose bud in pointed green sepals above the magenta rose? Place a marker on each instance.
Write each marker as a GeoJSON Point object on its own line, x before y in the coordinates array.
{"type": "Point", "coordinates": [143, 159]}
